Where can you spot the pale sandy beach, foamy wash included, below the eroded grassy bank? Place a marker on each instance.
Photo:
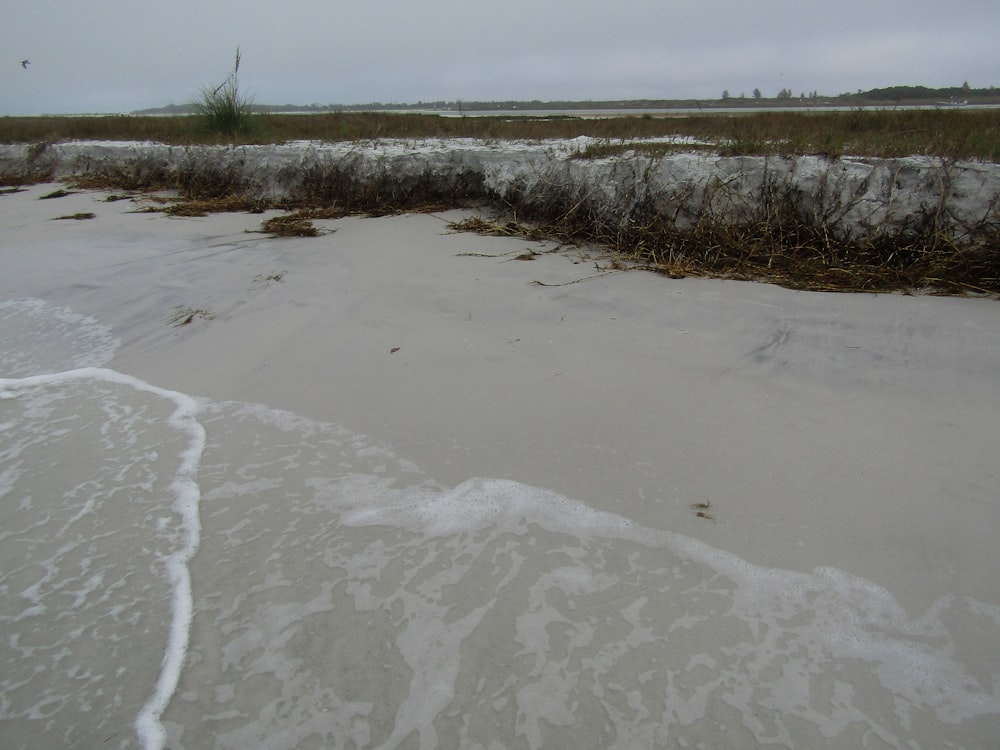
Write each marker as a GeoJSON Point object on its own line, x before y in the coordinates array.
{"type": "Point", "coordinates": [396, 486]}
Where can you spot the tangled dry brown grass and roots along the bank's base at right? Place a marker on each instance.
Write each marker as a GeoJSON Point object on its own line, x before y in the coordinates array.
{"type": "Point", "coordinates": [772, 237]}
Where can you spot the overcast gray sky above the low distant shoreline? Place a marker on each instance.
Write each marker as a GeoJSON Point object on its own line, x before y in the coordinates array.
{"type": "Point", "coordinates": [122, 55]}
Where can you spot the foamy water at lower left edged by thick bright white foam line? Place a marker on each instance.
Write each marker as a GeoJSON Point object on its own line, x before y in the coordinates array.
{"type": "Point", "coordinates": [110, 475]}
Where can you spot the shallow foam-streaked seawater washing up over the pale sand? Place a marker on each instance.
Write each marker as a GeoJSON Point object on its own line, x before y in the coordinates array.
{"type": "Point", "coordinates": [181, 573]}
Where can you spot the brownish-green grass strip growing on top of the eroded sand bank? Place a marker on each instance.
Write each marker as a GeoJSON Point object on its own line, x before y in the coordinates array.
{"type": "Point", "coordinates": [956, 133]}
